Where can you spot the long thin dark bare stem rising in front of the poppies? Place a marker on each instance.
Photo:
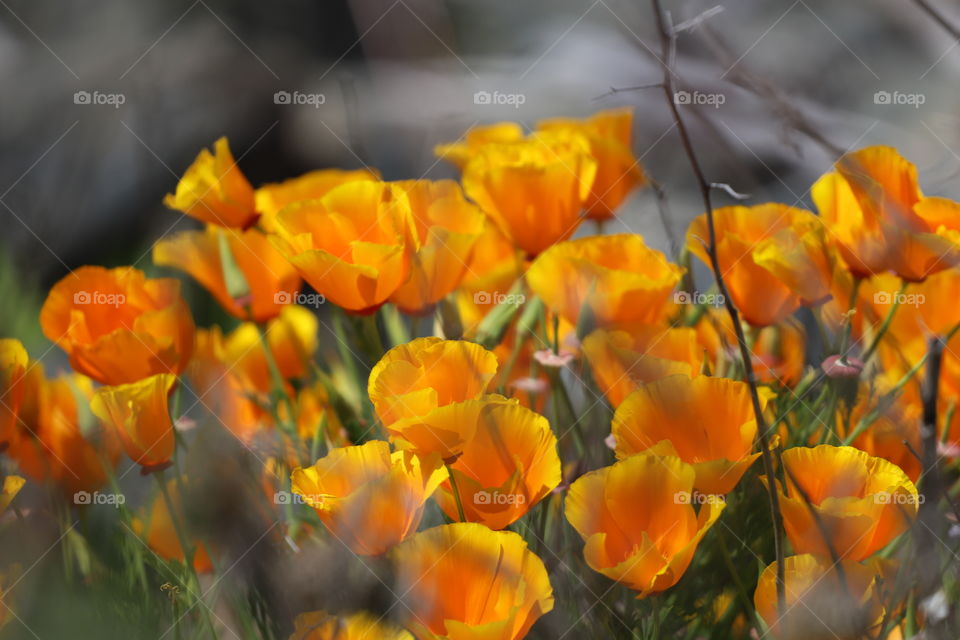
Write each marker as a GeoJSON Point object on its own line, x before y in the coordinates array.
{"type": "Point", "coordinates": [668, 50]}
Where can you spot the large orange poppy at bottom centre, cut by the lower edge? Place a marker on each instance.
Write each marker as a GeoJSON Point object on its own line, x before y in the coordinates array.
{"type": "Point", "coordinates": [502, 587]}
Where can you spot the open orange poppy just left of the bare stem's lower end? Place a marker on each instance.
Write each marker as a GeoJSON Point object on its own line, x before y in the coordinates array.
{"type": "Point", "coordinates": [638, 522]}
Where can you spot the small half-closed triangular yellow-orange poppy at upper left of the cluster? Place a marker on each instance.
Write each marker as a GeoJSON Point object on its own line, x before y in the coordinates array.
{"type": "Point", "coordinates": [214, 190]}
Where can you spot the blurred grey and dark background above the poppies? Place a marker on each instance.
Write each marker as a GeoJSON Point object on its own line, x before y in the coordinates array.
{"type": "Point", "coordinates": [384, 81]}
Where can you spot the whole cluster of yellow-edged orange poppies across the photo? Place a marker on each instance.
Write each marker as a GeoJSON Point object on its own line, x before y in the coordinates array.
{"type": "Point", "coordinates": [464, 315]}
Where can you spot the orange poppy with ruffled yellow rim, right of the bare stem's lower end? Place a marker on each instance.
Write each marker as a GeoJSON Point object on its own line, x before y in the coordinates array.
{"type": "Point", "coordinates": [863, 502]}
